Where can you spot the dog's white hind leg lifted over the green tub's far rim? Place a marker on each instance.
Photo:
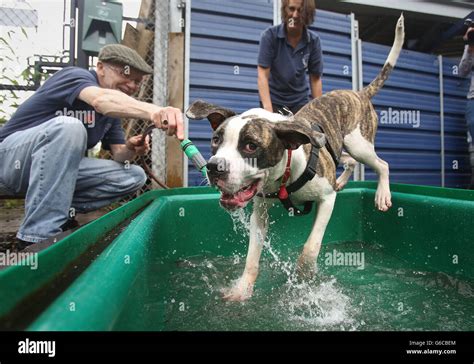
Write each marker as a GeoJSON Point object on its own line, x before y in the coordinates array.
{"type": "Point", "coordinates": [364, 152]}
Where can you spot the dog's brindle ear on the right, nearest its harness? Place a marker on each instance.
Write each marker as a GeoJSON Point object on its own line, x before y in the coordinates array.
{"type": "Point", "coordinates": [293, 135]}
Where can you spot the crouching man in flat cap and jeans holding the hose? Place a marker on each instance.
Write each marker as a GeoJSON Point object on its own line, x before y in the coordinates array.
{"type": "Point", "coordinates": [43, 145]}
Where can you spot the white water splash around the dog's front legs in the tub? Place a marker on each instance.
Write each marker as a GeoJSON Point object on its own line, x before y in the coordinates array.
{"type": "Point", "coordinates": [319, 304]}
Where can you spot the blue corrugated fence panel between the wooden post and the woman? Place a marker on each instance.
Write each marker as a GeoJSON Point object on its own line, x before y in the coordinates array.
{"type": "Point", "coordinates": [223, 66]}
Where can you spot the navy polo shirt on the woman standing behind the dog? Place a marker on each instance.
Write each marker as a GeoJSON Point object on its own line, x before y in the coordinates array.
{"type": "Point", "coordinates": [289, 66]}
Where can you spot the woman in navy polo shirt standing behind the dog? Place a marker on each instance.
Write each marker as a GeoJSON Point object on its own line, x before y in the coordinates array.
{"type": "Point", "coordinates": [287, 53]}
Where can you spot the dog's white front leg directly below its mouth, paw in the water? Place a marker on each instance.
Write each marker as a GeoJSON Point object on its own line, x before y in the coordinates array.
{"type": "Point", "coordinates": [243, 288]}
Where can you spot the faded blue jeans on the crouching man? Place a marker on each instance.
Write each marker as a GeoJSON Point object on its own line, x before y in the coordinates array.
{"type": "Point", "coordinates": [47, 164]}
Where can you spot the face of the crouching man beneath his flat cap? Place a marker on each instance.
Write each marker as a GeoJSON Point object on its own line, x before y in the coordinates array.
{"type": "Point", "coordinates": [119, 77]}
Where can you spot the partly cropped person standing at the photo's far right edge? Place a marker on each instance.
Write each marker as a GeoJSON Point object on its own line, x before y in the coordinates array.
{"type": "Point", "coordinates": [465, 67]}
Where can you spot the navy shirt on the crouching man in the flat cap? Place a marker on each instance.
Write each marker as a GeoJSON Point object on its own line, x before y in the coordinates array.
{"type": "Point", "coordinates": [58, 97]}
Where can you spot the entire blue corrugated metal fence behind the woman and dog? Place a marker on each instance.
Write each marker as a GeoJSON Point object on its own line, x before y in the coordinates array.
{"type": "Point", "coordinates": [224, 48]}
